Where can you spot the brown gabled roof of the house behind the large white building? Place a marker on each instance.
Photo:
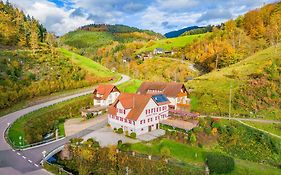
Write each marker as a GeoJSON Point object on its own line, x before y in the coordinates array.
{"type": "Point", "coordinates": [170, 89]}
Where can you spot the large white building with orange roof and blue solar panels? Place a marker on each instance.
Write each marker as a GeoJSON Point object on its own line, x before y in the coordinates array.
{"type": "Point", "coordinates": [138, 113]}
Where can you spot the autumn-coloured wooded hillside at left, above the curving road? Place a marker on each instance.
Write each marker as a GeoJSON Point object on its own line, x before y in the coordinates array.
{"type": "Point", "coordinates": [32, 65]}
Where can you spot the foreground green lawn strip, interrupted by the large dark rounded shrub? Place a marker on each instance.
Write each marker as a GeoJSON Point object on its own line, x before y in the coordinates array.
{"type": "Point", "coordinates": [187, 153]}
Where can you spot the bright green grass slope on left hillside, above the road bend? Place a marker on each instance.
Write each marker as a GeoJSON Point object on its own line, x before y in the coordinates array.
{"type": "Point", "coordinates": [88, 64]}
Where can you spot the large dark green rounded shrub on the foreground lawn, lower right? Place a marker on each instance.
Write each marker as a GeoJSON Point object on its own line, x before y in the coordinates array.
{"type": "Point", "coordinates": [219, 163]}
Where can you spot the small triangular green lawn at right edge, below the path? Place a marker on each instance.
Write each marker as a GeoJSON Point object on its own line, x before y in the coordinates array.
{"type": "Point", "coordinates": [274, 128]}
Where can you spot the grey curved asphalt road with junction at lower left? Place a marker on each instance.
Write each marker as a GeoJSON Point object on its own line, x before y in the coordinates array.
{"type": "Point", "coordinates": [13, 162]}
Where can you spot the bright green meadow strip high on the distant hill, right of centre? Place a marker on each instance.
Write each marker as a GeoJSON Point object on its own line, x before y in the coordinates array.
{"type": "Point", "coordinates": [170, 43]}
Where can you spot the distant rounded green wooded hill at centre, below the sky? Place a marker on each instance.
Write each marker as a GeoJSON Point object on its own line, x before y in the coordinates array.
{"type": "Point", "coordinates": [88, 40]}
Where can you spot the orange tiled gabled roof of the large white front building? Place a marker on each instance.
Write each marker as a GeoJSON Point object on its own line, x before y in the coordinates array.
{"type": "Point", "coordinates": [135, 102]}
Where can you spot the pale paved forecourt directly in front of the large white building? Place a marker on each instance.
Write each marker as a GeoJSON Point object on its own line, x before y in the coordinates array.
{"type": "Point", "coordinates": [105, 136]}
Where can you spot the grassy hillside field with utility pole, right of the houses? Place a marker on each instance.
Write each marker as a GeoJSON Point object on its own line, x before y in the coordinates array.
{"type": "Point", "coordinates": [254, 81]}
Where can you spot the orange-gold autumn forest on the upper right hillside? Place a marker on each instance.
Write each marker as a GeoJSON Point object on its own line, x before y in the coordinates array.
{"type": "Point", "coordinates": [237, 39]}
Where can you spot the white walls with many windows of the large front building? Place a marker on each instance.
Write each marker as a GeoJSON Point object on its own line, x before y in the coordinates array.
{"type": "Point", "coordinates": [145, 121]}
